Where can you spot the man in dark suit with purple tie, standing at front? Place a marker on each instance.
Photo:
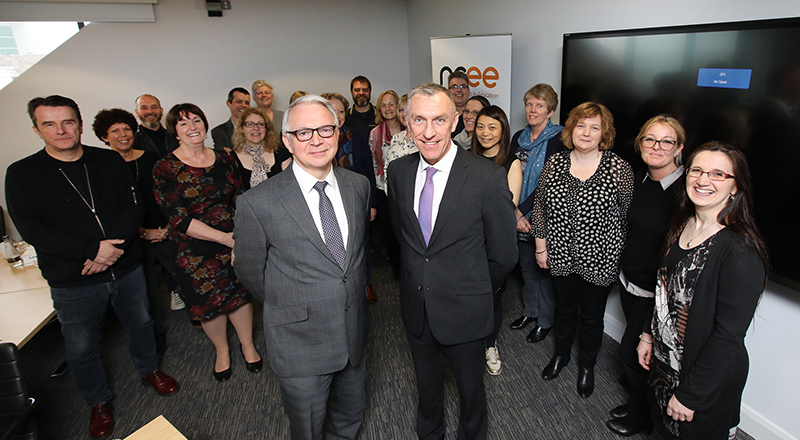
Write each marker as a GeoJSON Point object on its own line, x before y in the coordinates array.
{"type": "Point", "coordinates": [454, 217]}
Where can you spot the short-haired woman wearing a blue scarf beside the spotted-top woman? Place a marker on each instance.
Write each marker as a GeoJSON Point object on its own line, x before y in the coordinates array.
{"type": "Point", "coordinates": [534, 144]}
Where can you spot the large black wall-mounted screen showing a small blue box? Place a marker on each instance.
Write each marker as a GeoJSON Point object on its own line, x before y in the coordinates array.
{"type": "Point", "coordinates": [733, 82]}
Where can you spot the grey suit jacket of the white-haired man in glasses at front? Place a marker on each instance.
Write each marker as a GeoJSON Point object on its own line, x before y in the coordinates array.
{"type": "Point", "coordinates": [315, 313]}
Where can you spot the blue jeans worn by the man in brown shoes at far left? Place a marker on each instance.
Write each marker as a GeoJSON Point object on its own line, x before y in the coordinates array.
{"type": "Point", "coordinates": [81, 310]}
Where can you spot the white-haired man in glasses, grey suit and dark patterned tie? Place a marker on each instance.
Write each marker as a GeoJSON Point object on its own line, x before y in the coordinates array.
{"type": "Point", "coordinates": [299, 247]}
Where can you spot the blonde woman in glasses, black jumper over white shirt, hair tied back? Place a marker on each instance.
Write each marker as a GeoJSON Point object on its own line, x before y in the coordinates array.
{"type": "Point", "coordinates": [660, 142]}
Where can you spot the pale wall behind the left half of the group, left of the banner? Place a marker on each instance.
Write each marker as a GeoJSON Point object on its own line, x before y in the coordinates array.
{"type": "Point", "coordinates": [313, 45]}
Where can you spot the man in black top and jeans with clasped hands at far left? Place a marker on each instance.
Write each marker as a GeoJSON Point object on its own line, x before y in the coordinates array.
{"type": "Point", "coordinates": [78, 207]}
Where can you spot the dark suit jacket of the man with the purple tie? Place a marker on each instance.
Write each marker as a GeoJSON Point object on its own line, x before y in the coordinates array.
{"type": "Point", "coordinates": [472, 249]}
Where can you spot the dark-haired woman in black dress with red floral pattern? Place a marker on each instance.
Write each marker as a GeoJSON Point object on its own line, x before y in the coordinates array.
{"type": "Point", "coordinates": [196, 188]}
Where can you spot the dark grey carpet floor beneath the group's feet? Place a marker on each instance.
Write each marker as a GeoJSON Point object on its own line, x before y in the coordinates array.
{"type": "Point", "coordinates": [521, 404]}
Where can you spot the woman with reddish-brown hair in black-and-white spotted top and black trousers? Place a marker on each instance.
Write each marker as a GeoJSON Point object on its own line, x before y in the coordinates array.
{"type": "Point", "coordinates": [579, 213]}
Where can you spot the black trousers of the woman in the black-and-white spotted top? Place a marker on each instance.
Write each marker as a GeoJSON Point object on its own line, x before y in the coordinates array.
{"type": "Point", "coordinates": [580, 306]}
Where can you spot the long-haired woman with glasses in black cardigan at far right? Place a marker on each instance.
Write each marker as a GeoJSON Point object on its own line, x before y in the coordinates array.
{"type": "Point", "coordinates": [711, 278]}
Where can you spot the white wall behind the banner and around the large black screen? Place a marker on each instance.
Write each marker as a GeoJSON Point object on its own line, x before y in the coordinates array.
{"type": "Point", "coordinates": [769, 409]}
